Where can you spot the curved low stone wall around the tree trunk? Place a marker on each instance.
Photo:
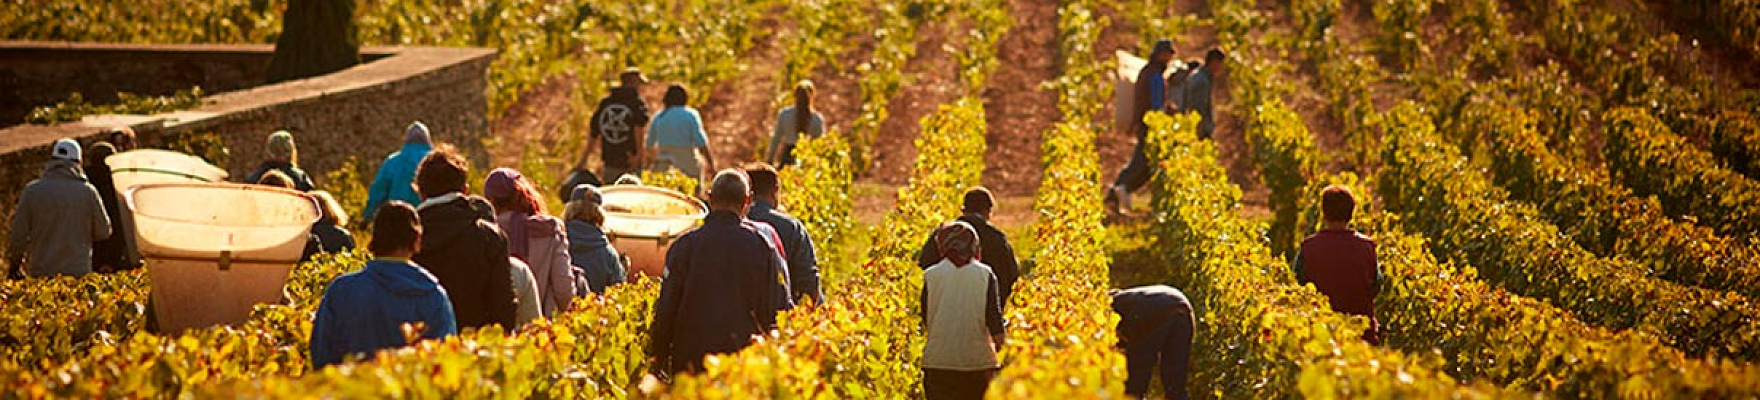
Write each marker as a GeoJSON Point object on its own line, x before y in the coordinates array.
{"type": "Point", "coordinates": [356, 114]}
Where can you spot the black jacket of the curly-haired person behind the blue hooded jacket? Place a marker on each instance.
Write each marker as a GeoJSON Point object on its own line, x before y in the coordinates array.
{"type": "Point", "coordinates": [469, 255]}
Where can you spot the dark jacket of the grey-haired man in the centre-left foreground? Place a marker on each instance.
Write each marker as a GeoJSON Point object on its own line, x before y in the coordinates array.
{"type": "Point", "coordinates": [719, 292]}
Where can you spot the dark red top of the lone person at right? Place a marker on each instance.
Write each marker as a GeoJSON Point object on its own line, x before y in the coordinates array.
{"type": "Point", "coordinates": [1344, 267]}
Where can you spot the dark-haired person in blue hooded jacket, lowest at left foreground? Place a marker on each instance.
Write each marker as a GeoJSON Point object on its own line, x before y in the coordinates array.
{"type": "Point", "coordinates": [367, 311]}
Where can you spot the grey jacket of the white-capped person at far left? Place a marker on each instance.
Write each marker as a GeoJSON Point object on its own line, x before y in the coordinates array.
{"type": "Point", "coordinates": [57, 221]}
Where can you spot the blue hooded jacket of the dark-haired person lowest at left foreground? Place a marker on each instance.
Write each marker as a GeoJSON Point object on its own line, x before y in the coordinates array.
{"type": "Point", "coordinates": [365, 311]}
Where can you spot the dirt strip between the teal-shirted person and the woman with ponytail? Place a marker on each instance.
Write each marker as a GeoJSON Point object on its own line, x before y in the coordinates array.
{"type": "Point", "coordinates": [740, 112]}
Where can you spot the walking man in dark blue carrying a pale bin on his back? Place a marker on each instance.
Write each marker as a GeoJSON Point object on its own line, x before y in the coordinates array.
{"type": "Point", "coordinates": [1152, 96]}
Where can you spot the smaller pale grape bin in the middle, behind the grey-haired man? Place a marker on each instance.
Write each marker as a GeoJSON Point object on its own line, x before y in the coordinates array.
{"type": "Point", "coordinates": [643, 223]}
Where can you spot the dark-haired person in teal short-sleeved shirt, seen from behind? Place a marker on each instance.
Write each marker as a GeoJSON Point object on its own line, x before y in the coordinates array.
{"type": "Point", "coordinates": [678, 138]}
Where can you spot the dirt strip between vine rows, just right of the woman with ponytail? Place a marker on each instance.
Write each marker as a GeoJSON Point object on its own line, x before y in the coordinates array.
{"type": "Point", "coordinates": [932, 80]}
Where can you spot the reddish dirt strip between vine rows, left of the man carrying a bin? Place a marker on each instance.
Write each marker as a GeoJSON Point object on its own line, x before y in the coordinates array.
{"type": "Point", "coordinates": [1018, 108]}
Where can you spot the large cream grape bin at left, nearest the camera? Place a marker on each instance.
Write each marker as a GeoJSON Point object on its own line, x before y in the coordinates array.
{"type": "Point", "coordinates": [216, 251]}
